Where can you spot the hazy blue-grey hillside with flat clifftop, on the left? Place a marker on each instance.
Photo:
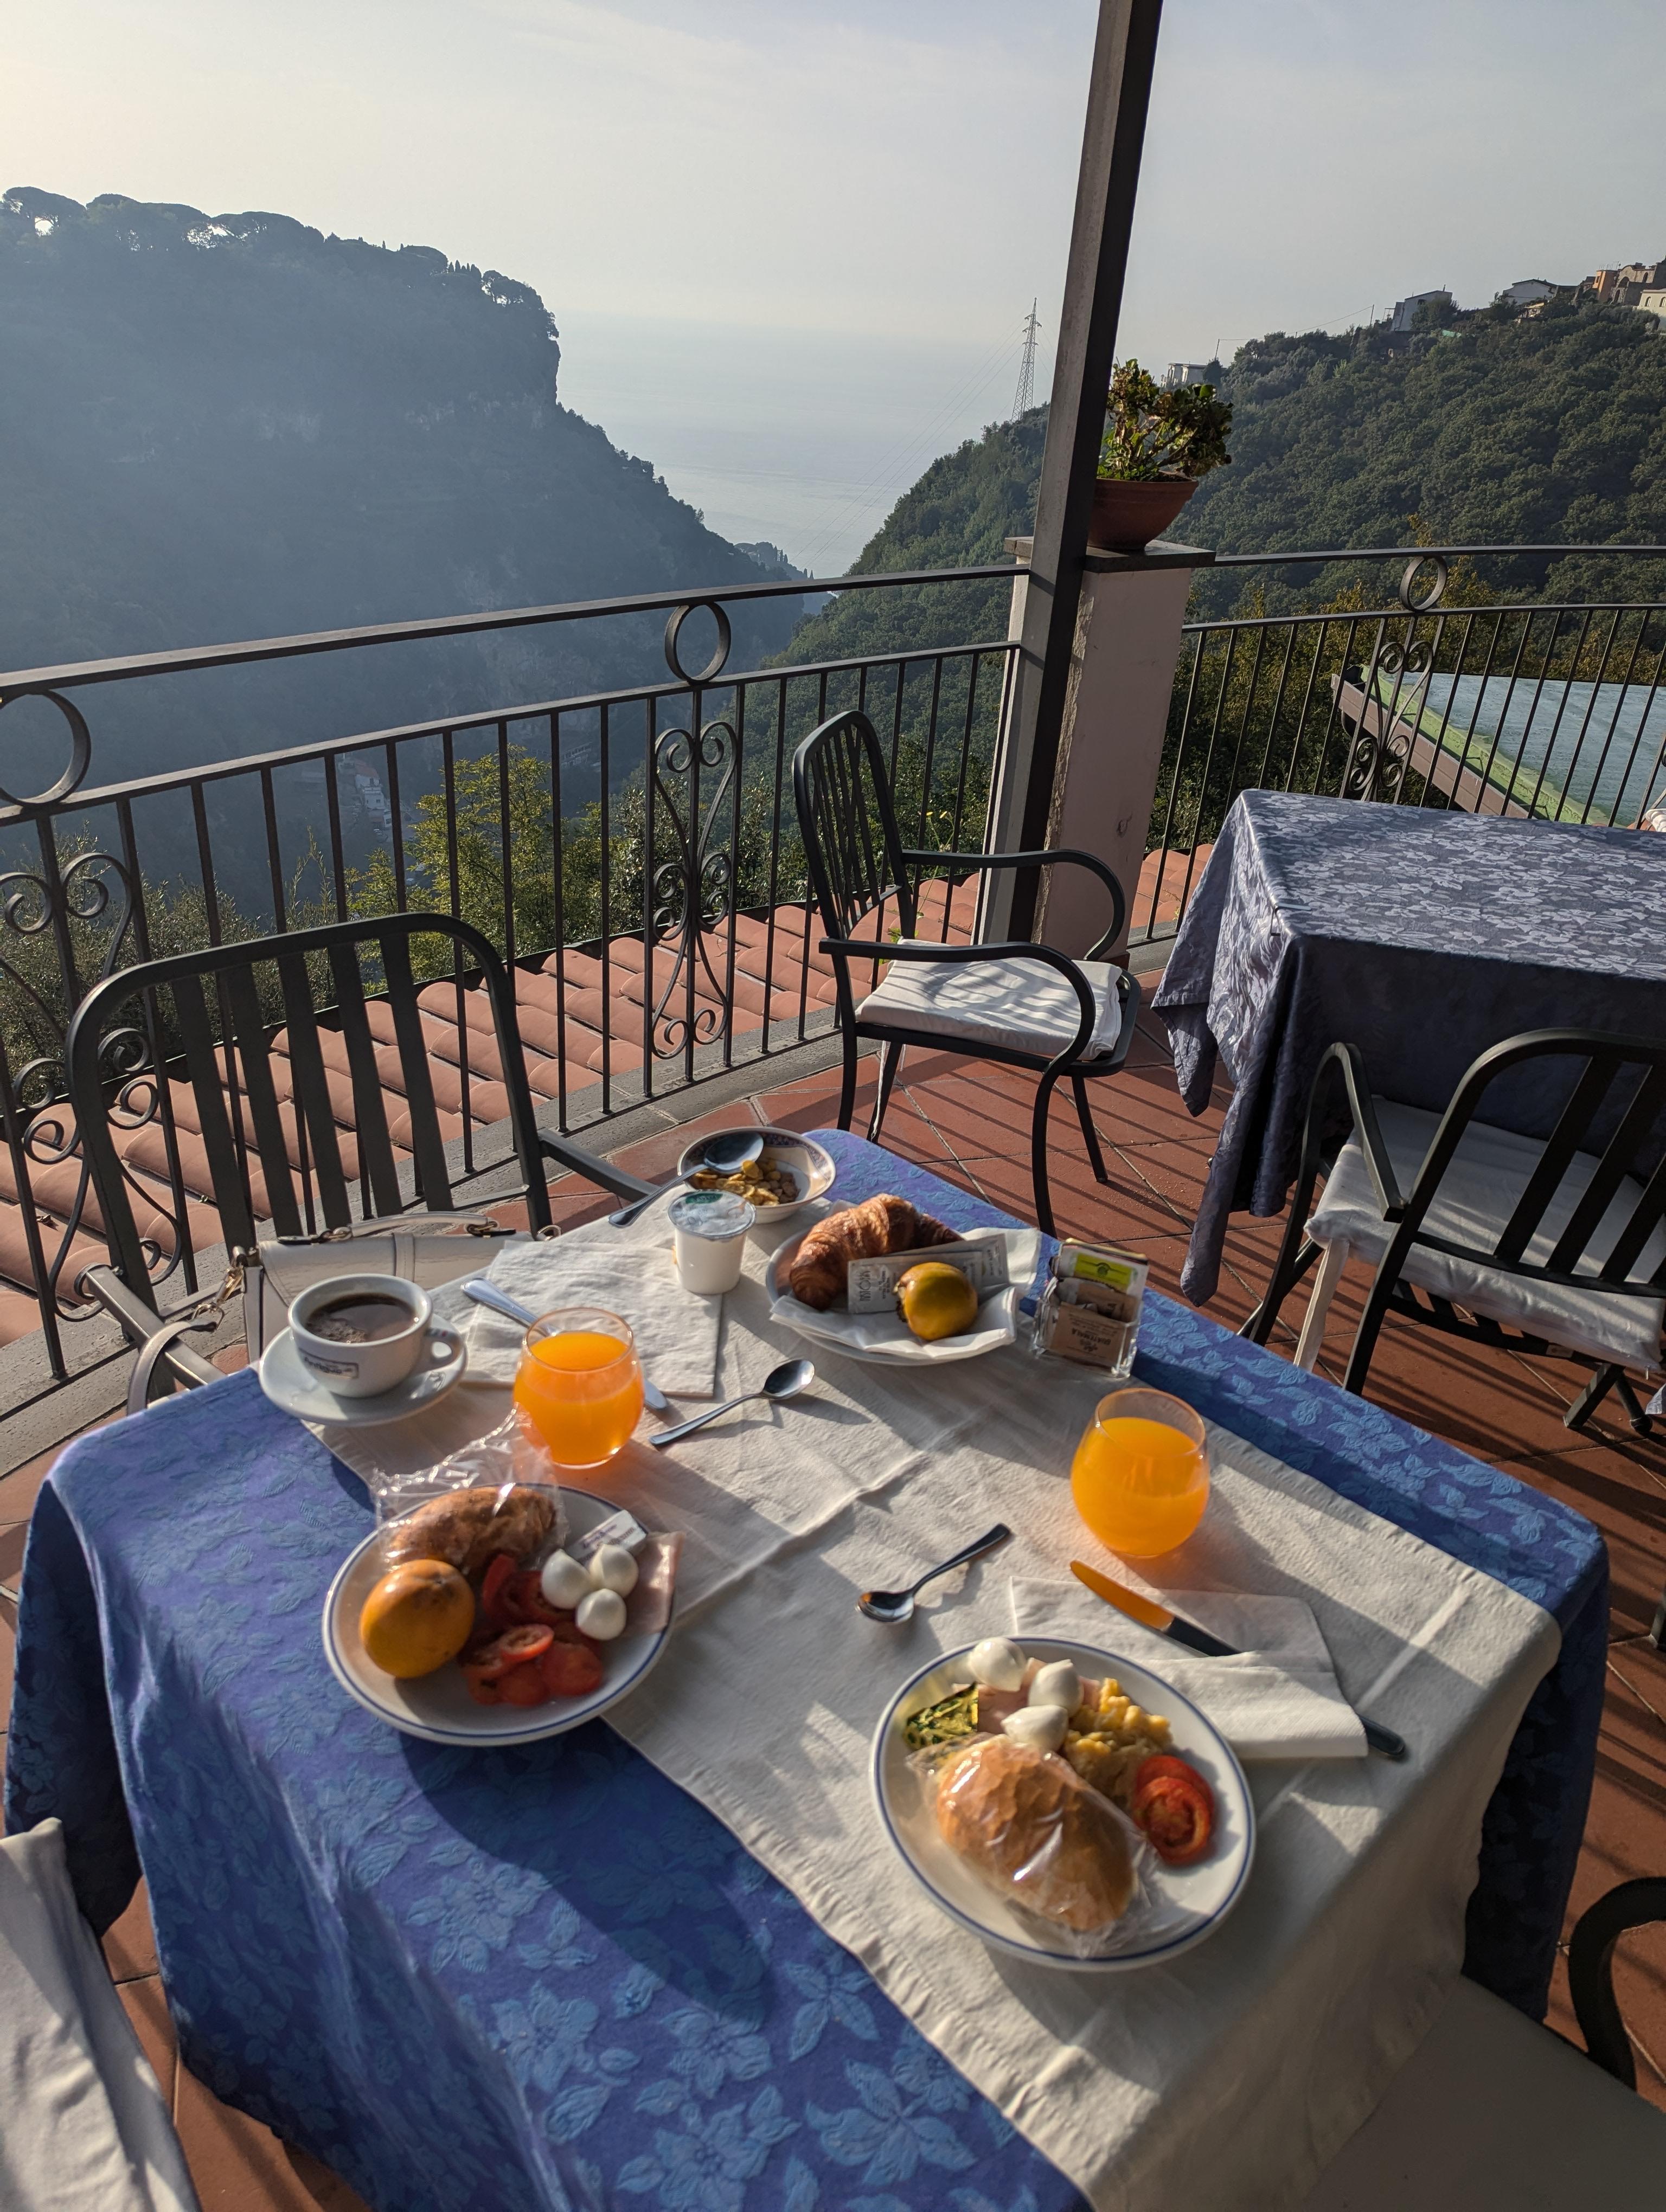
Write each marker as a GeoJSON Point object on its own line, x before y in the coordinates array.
{"type": "Point", "coordinates": [220, 428]}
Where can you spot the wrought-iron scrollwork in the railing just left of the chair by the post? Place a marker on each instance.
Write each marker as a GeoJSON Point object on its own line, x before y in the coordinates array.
{"type": "Point", "coordinates": [694, 888]}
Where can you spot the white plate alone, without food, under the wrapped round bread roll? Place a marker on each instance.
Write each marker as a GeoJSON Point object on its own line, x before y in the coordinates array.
{"type": "Point", "coordinates": [1194, 1901]}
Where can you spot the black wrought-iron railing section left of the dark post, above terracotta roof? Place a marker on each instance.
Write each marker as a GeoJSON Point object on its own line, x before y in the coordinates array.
{"type": "Point", "coordinates": [632, 853]}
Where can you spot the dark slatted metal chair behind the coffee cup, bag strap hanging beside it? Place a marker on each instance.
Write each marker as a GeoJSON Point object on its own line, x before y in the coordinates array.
{"type": "Point", "coordinates": [273, 1147]}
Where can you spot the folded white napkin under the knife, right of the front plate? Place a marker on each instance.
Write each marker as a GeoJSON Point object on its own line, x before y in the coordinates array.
{"type": "Point", "coordinates": [1275, 1700]}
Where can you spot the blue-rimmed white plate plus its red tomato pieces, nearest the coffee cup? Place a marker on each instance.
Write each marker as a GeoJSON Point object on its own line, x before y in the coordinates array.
{"type": "Point", "coordinates": [525, 1673]}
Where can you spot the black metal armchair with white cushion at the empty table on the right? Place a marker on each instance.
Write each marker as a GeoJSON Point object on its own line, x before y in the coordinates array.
{"type": "Point", "coordinates": [1528, 1244]}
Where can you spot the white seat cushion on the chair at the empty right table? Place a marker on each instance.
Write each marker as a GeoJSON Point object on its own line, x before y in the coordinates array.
{"type": "Point", "coordinates": [1477, 1198]}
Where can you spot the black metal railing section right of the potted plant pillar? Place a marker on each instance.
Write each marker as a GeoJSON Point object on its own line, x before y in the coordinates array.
{"type": "Point", "coordinates": [1448, 698]}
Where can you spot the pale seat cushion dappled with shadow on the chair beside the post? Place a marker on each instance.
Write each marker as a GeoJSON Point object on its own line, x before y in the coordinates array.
{"type": "Point", "coordinates": [1017, 1005]}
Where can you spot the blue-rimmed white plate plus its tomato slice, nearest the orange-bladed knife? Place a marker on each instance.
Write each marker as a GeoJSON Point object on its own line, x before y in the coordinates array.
{"type": "Point", "coordinates": [1191, 1804]}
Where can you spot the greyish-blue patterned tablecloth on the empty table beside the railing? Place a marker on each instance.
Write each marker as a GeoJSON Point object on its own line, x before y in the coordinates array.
{"type": "Point", "coordinates": [1419, 937]}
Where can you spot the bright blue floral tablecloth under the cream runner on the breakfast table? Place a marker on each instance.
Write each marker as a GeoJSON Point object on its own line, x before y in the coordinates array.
{"type": "Point", "coordinates": [548, 1979]}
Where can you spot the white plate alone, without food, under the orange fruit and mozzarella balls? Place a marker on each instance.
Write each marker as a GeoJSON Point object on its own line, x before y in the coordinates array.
{"type": "Point", "coordinates": [439, 1707]}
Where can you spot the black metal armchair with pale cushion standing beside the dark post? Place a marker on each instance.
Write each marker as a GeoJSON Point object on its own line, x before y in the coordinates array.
{"type": "Point", "coordinates": [1023, 1005]}
